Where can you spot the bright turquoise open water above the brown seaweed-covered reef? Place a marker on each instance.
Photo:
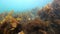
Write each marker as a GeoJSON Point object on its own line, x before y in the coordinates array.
{"type": "Point", "coordinates": [19, 5]}
